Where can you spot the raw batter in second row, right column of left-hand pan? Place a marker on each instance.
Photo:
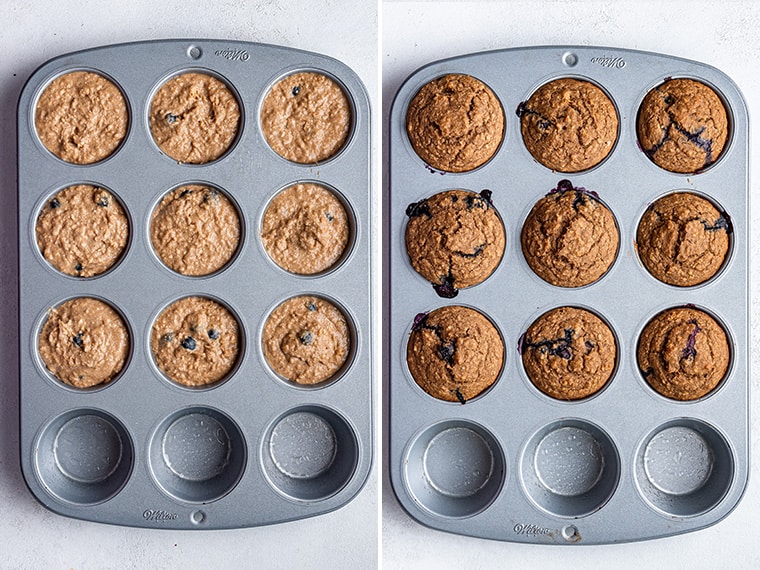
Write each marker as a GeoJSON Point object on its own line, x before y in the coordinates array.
{"type": "Point", "coordinates": [305, 229]}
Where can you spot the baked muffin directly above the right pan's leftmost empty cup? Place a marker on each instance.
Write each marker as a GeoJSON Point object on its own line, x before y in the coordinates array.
{"type": "Point", "coordinates": [454, 353]}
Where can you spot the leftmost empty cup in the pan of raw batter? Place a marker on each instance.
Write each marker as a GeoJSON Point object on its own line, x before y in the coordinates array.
{"type": "Point", "coordinates": [84, 456]}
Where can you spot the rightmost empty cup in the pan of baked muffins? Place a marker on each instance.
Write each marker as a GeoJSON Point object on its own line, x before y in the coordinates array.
{"type": "Point", "coordinates": [684, 468]}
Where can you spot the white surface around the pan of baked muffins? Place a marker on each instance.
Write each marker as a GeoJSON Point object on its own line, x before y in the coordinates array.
{"type": "Point", "coordinates": [723, 34]}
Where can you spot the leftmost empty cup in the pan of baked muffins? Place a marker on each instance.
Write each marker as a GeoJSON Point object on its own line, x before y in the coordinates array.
{"type": "Point", "coordinates": [455, 469]}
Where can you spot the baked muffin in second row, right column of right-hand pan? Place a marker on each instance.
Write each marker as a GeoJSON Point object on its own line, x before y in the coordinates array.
{"type": "Point", "coordinates": [682, 239]}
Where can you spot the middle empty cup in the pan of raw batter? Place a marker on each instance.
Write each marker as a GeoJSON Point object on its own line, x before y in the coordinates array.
{"type": "Point", "coordinates": [197, 455]}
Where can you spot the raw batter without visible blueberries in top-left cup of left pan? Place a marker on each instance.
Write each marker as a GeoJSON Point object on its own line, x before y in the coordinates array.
{"type": "Point", "coordinates": [81, 117]}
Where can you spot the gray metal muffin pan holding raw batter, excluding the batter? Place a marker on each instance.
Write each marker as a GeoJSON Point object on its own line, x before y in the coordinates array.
{"type": "Point", "coordinates": [141, 450]}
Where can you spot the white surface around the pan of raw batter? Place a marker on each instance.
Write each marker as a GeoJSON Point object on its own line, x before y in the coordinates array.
{"type": "Point", "coordinates": [33, 32]}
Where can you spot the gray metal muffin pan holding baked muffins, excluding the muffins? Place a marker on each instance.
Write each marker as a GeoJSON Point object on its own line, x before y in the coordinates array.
{"type": "Point", "coordinates": [625, 464]}
